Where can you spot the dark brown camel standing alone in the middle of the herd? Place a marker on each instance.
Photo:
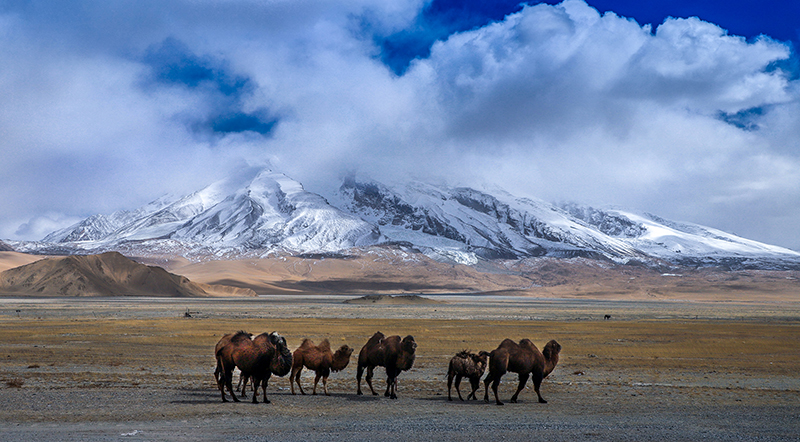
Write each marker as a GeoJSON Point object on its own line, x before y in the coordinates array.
{"type": "Point", "coordinates": [392, 353]}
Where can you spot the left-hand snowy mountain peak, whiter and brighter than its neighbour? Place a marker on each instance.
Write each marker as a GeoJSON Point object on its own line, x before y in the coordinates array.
{"type": "Point", "coordinates": [271, 212]}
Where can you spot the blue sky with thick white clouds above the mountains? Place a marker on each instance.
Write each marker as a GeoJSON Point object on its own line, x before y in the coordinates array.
{"type": "Point", "coordinates": [689, 110]}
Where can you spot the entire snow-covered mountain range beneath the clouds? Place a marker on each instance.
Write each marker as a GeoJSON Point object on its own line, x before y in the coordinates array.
{"type": "Point", "coordinates": [263, 211]}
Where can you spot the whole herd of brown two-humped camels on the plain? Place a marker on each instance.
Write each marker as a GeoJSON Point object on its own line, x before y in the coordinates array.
{"type": "Point", "coordinates": [259, 357]}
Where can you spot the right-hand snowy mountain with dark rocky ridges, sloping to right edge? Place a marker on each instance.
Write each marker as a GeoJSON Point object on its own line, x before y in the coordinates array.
{"type": "Point", "coordinates": [456, 222]}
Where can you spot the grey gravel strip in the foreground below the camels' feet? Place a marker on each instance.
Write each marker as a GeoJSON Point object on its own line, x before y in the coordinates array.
{"type": "Point", "coordinates": [584, 412]}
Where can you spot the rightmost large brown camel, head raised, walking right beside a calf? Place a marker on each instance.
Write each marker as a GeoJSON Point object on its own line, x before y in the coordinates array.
{"type": "Point", "coordinates": [523, 358]}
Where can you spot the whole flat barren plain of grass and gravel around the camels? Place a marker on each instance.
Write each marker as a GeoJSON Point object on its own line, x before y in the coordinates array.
{"type": "Point", "coordinates": [140, 369]}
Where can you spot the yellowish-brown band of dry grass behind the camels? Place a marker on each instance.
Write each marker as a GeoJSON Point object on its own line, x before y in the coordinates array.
{"type": "Point", "coordinates": [144, 352]}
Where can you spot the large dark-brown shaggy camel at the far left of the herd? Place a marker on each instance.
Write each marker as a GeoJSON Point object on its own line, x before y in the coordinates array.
{"type": "Point", "coordinates": [258, 358]}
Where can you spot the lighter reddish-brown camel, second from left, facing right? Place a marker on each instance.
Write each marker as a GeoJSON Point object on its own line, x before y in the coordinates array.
{"type": "Point", "coordinates": [320, 359]}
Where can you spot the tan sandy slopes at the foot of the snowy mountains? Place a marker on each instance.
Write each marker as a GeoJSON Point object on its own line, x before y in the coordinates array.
{"type": "Point", "coordinates": [391, 271]}
